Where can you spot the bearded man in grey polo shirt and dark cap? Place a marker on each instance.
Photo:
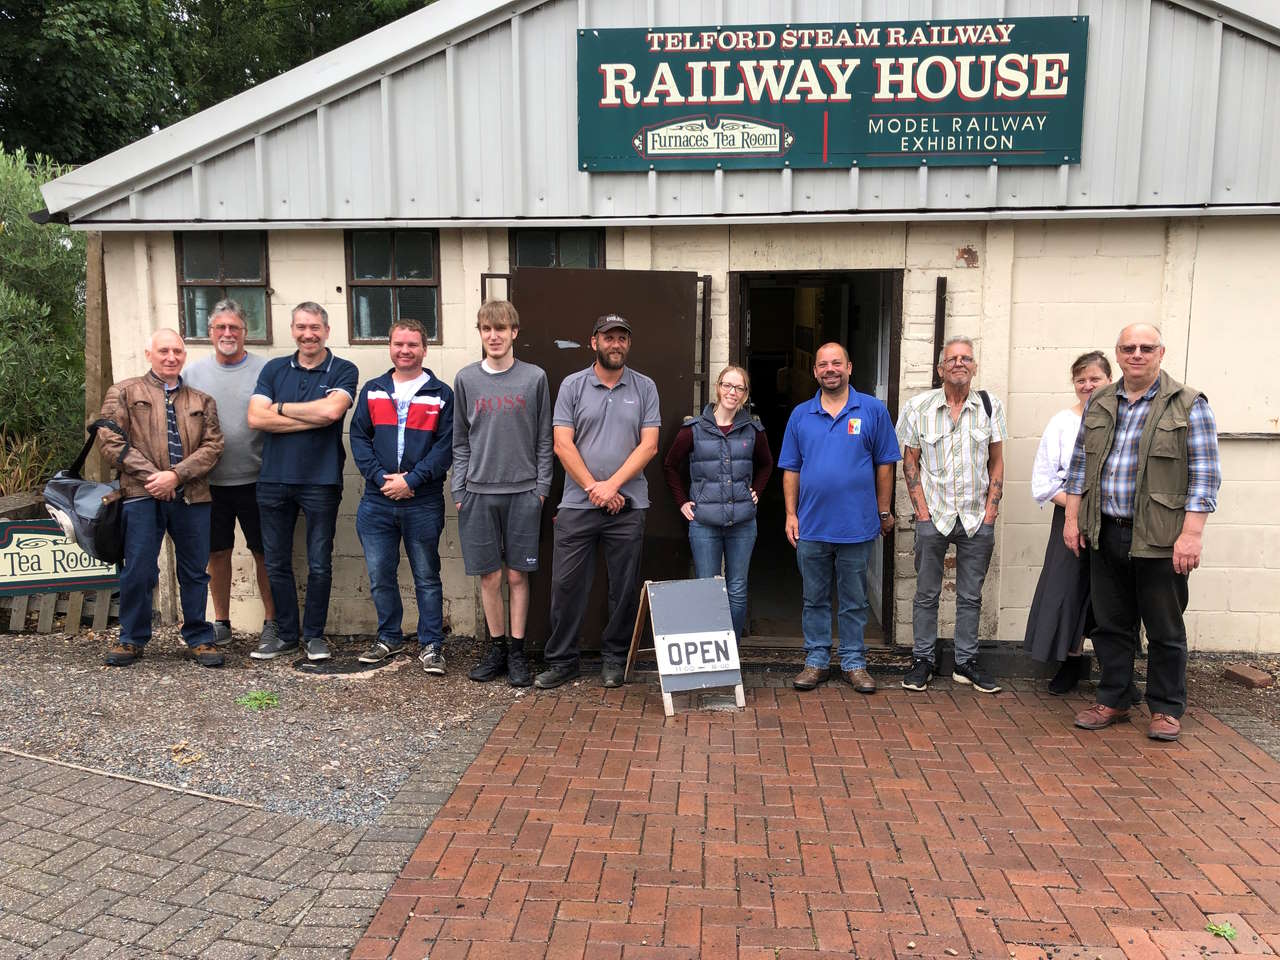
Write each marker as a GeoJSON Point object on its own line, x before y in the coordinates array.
{"type": "Point", "coordinates": [606, 431]}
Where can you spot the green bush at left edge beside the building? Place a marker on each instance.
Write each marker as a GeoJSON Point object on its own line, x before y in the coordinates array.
{"type": "Point", "coordinates": [42, 321]}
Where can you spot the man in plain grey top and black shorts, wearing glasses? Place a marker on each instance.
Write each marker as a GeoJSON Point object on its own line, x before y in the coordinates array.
{"type": "Point", "coordinates": [230, 377]}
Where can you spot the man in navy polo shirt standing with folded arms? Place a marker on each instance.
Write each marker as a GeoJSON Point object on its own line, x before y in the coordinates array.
{"type": "Point", "coordinates": [300, 404]}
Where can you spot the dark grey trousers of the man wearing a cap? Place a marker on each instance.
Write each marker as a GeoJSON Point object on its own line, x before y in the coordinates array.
{"type": "Point", "coordinates": [578, 534]}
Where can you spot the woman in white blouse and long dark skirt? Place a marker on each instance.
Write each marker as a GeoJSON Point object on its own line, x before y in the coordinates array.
{"type": "Point", "coordinates": [1062, 616]}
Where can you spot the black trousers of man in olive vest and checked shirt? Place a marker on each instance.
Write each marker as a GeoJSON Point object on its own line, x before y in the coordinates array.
{"type": "Point", "coordinates": [1132, 591]}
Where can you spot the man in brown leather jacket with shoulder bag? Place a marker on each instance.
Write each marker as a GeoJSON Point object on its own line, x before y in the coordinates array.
{"type": "Point", "coordinates": [175, 441]}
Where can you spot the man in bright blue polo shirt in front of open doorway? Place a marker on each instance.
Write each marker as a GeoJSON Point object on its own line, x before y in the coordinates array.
{"type": "Point", "coordinates": [838, 483]}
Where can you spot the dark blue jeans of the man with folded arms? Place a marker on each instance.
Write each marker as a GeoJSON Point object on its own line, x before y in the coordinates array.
{"type": "Point", "coordinates": [278, 508]}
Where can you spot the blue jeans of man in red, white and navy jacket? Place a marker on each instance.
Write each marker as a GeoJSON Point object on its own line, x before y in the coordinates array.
{"type": "Point", "coordinates": [382, 525]}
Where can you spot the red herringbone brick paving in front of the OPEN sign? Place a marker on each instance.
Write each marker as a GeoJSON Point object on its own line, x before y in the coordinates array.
{"type": "Point", "coordinates": [908, 826]}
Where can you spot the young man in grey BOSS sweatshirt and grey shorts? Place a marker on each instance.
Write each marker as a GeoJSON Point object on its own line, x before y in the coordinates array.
{"type": "Point", "coordinates": [502, 473]}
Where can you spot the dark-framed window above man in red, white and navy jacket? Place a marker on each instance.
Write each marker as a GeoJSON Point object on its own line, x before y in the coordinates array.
{"type": "Point", "coordinates": [394, 276]}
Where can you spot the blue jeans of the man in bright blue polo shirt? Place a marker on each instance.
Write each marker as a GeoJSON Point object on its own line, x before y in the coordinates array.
{"type": "Point", "coordinates": [848, 564]}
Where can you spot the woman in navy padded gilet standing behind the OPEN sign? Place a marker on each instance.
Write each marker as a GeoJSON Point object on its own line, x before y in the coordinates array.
{"type": "Point", "coordinates": [716, 469]}
